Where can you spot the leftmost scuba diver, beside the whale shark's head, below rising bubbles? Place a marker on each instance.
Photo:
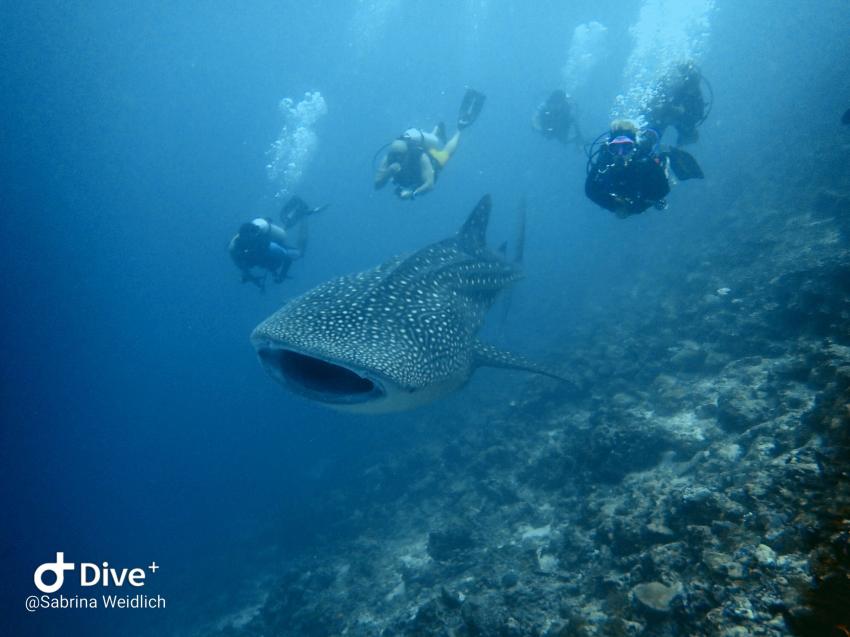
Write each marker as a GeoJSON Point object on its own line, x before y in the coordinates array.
{"type": "Point", "coordinates": [263, 245]}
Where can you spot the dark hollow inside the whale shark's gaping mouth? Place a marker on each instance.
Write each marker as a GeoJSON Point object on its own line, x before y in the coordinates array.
{"type": "Point", "coordinates": [315, 374]}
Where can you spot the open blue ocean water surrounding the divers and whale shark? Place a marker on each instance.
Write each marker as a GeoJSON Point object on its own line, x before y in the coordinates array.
{"type": "Point", "coordinates": [137, 425]}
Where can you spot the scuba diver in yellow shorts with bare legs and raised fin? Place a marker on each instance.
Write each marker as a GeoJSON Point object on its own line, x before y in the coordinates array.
{"type": "Point", "coordinates": [414, 161]}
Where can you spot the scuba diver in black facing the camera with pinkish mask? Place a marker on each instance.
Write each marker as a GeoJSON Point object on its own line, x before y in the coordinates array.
{"type": "Point", "coordinates": [628, 172]}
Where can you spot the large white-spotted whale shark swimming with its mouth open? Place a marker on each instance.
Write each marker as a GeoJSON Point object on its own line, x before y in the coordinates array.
{"type": "Point", "coordinates": [397, 336]}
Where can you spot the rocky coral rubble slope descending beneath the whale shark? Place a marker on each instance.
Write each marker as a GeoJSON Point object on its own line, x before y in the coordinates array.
{"type": "Point", "coordinates": [697, 489]}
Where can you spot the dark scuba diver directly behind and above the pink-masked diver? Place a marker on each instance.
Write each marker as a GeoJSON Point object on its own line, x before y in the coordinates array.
{"type": "Point", "coordinates": [679, 103]}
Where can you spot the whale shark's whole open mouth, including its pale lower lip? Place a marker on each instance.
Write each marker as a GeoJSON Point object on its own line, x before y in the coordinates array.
{"type": "Point", "coordinates": [318, 378]}
